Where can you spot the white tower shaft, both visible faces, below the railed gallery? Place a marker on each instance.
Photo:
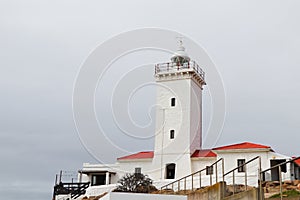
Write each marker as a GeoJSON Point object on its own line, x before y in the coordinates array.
{"type": "Point", "coordinates": [184, 118]}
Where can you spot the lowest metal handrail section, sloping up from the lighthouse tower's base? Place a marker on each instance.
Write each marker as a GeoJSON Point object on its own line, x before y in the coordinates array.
{"type": "Point", "coordinates": [196, 179]}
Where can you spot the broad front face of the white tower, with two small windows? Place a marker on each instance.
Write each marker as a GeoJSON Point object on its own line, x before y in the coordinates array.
{"type": "Point", "coordinates": [176, 118]}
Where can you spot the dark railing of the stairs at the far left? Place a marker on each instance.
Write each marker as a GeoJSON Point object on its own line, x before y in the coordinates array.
{"type": "Point", "coordinates": [75, 189]}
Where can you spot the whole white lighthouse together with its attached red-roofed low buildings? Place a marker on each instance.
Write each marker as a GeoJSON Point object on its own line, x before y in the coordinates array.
{"type": "Point", "coordinates": [178, 136]}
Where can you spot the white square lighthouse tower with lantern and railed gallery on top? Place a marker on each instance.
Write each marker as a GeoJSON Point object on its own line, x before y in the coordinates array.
{"type": "Point", "coordinates": [178, 115]}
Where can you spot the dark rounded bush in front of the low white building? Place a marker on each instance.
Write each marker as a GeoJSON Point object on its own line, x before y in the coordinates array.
{"type": "Point", "coordinates": [138, 183]}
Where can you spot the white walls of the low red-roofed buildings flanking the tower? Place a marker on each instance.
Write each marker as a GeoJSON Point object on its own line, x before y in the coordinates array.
{"type": "Point", "coordinates": [230, 161]}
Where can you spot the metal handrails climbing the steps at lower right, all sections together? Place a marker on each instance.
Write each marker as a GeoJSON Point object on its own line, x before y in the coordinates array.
{"type": "Point", "coordinates": [247, 175]}
